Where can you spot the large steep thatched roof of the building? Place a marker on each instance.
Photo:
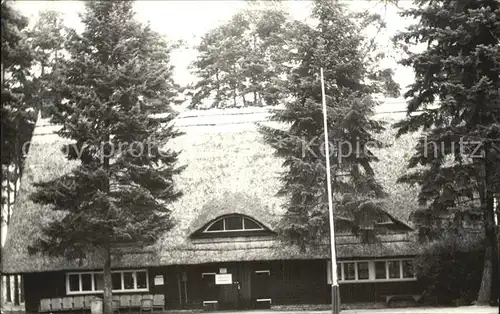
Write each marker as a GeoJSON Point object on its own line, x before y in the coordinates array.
{"type": "Point", "coordinates": [229, 170]}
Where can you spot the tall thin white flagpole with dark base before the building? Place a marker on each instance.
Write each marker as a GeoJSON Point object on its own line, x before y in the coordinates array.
{"type": "Point", "coordinates": [335, 283]}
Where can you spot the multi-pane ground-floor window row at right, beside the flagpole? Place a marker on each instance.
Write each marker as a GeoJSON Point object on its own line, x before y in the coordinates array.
{"type": "Point", "coordinates": [374, 270]}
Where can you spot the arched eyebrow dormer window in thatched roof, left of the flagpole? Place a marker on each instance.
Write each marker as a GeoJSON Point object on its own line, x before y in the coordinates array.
{"type": "Point", "coordinates": [232, 225]}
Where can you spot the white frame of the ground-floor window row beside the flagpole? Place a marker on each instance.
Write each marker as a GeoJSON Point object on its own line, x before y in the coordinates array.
{"type": "Point", "coordinates": [371, 271]}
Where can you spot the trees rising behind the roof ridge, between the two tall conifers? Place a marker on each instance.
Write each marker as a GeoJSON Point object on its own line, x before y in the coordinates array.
{"type": "Point", "coordinates": [239, 62]}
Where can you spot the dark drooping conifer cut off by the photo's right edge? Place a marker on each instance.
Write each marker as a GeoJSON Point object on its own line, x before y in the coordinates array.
{"type": "Point", "coordinates": [457, 90]}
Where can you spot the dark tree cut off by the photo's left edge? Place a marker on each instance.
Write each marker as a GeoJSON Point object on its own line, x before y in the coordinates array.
{"type": "Point", "coordinates": [17, 114]}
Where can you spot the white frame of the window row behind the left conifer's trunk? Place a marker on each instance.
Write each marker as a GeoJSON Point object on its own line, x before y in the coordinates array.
{"type": "Point", "coordinates": [93, 289]}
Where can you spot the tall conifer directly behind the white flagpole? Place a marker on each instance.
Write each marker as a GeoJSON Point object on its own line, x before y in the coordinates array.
{"type": "Point", "coordinates": [334, 44]}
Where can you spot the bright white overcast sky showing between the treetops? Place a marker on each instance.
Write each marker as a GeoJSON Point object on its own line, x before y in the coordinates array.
{"type": "Point", "coordinates": [189, 20]}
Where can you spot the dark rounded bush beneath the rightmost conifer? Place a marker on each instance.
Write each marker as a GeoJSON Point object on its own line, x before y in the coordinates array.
{"type": "Point", "coordinates": [450, 268]}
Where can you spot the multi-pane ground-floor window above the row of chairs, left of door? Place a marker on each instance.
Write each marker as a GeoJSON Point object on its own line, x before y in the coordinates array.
{"type": "Point", "coordinates": [121, 281]}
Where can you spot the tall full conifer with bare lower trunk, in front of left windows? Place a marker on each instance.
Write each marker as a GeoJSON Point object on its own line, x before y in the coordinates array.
{"type": "Point", "coordinates": [117, 74]}
